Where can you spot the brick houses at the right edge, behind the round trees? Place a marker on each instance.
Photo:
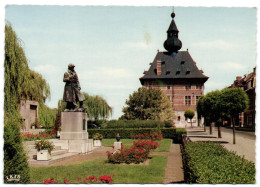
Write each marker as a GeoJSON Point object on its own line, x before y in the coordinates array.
{"type": "Point", "coordinates": [247, 83]}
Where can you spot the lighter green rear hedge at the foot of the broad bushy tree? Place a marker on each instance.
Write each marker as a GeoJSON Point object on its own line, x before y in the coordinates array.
{"type": "Point", "coordinates": [116, 124]}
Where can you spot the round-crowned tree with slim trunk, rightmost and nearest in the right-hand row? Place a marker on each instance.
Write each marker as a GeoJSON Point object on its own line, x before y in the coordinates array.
{"type": "Point", "coordinates": [235, 101]}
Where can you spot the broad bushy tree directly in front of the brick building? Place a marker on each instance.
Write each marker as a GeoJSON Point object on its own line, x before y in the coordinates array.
{"type": "Point", "coordinates": [148, 103]}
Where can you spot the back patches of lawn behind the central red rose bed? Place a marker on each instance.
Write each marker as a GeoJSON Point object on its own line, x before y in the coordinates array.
{"type": "Point", "coordinates": [164, 145]}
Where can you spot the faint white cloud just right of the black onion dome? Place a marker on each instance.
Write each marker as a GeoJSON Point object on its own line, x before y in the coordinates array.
{"type": "Point", "coordinates": [219, 44]}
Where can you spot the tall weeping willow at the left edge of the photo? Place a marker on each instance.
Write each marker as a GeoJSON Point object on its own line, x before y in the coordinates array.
{"type": "Point", "coordinates": [20, 81]}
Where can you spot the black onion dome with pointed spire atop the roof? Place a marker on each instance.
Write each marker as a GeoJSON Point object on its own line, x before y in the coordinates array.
{"type": "Point", "coordinates": [172, 44]}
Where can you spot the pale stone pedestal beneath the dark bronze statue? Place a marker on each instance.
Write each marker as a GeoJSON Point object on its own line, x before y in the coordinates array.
{"type": "Point", "coordinates": [74, 130]}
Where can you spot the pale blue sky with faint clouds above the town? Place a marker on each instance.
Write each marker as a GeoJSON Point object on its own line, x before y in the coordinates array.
{"type": "Point", "coordinates": [111, 46]}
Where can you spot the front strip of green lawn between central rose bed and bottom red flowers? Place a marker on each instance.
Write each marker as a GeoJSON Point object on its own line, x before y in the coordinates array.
{"type": "Point", "coordinates": [140, 174]}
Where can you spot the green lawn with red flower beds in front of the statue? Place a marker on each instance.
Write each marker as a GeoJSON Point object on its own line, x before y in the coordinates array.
{"type": "Point", "coordinates": [110, 169]}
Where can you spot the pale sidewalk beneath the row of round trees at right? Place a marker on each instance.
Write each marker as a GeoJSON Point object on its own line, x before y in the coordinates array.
{"type": "Point", "coordinates": [244, 146]}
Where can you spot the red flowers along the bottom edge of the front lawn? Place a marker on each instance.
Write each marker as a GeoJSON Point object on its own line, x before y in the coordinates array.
{"type": "Point", "coordinates": [88, 180]}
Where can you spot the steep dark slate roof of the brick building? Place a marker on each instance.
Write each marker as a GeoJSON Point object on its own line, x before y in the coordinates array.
{"type": "Point", "coordinates": [181, 62]}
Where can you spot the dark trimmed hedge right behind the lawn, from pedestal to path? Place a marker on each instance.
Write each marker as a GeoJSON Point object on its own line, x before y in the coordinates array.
{"type": "Point", "coordinates": [172, 133]}
